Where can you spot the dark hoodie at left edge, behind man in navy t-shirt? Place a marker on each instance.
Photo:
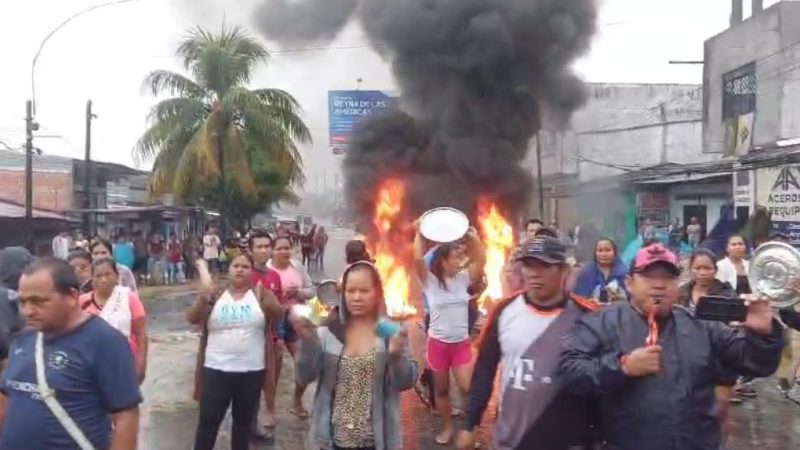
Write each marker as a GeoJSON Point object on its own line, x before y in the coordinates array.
{"type": "Point", "coordinates": [13, 261]}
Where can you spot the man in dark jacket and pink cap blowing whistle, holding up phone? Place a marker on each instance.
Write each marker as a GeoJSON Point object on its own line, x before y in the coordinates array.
{"type": "Point", "coordinates": [661, 396]}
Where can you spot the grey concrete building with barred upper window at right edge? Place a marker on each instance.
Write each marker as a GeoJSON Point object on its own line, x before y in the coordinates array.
{"type": "Point", "coordinates": [752, 108]}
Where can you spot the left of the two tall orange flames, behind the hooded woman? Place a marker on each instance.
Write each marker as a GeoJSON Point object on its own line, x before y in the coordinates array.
{"type": "Point", "coordinates": [388, 260]}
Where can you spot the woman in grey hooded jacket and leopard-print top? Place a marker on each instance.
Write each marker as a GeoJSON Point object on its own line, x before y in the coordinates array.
{"type": "Point", "coordinates": [341, 355]}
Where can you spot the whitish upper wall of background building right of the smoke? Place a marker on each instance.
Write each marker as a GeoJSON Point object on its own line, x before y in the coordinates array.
{"type": "Point", "coordinates": [625, 127]}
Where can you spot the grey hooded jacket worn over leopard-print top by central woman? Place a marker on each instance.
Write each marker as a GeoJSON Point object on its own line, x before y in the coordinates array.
{"type": "Point", "coordinates": [318, 360]}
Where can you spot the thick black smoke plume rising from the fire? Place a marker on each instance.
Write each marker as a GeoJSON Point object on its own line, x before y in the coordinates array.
{"type": "Point", "coordinates": [473, 75]}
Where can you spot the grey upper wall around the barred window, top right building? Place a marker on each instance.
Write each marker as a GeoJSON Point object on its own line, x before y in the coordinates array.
{"type": "Point", "coordinates": [770, 39]}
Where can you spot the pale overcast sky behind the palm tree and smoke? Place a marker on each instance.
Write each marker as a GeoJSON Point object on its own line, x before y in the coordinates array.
{"type": "Point", "coordinates": [106, 54]}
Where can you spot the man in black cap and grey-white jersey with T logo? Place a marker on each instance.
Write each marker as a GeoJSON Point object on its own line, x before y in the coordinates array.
{"type": "Point", "coordinates": [524, 333]}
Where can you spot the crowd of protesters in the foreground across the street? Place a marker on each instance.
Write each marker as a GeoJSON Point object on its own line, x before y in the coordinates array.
{"type": "Point", "coordinates": [599, 355]}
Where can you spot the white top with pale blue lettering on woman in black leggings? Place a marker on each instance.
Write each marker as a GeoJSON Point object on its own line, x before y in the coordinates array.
{"type": "Point", "coordinates": [236, 335]}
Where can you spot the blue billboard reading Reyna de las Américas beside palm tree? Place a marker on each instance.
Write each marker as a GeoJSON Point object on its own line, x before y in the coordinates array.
{"type": "Point", "coordinates": [347, 108]}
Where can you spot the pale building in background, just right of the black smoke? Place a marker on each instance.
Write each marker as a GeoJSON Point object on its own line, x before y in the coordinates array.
{"type": "Point", "coordinates": [623, 129]}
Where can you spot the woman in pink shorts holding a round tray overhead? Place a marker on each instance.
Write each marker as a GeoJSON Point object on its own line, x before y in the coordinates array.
{"type": "Point", "coordinates": [446, 288]}
